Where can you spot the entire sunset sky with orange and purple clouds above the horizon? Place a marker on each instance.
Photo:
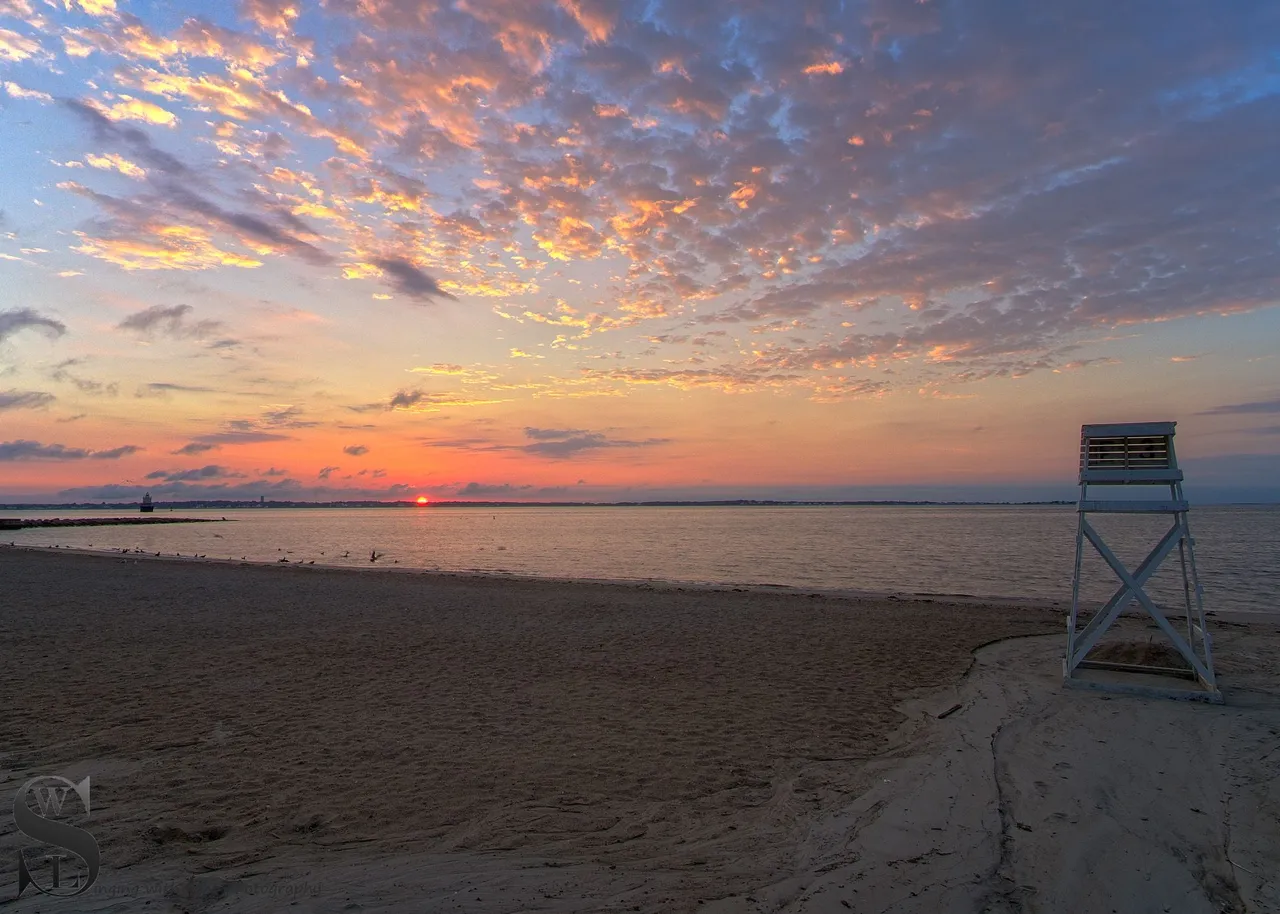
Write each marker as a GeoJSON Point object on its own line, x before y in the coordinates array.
{"type": "Point", "coordinates": [601, 250]}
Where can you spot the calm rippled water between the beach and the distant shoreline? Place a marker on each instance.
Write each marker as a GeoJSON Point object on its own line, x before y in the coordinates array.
{"type": "Point", "coordinates": [979, 551]}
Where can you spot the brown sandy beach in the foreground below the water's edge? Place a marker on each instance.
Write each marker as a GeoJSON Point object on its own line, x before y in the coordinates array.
{"type": "Point", "coordinates": [269, 739]}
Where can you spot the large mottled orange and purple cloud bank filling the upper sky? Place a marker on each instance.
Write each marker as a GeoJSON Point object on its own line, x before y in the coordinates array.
{"type": "Point", "coordinates": [956, 179]}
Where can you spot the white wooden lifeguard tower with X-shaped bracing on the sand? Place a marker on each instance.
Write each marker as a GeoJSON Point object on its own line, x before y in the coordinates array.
{"type": "Point", "coordinates": [1139, 454]}
